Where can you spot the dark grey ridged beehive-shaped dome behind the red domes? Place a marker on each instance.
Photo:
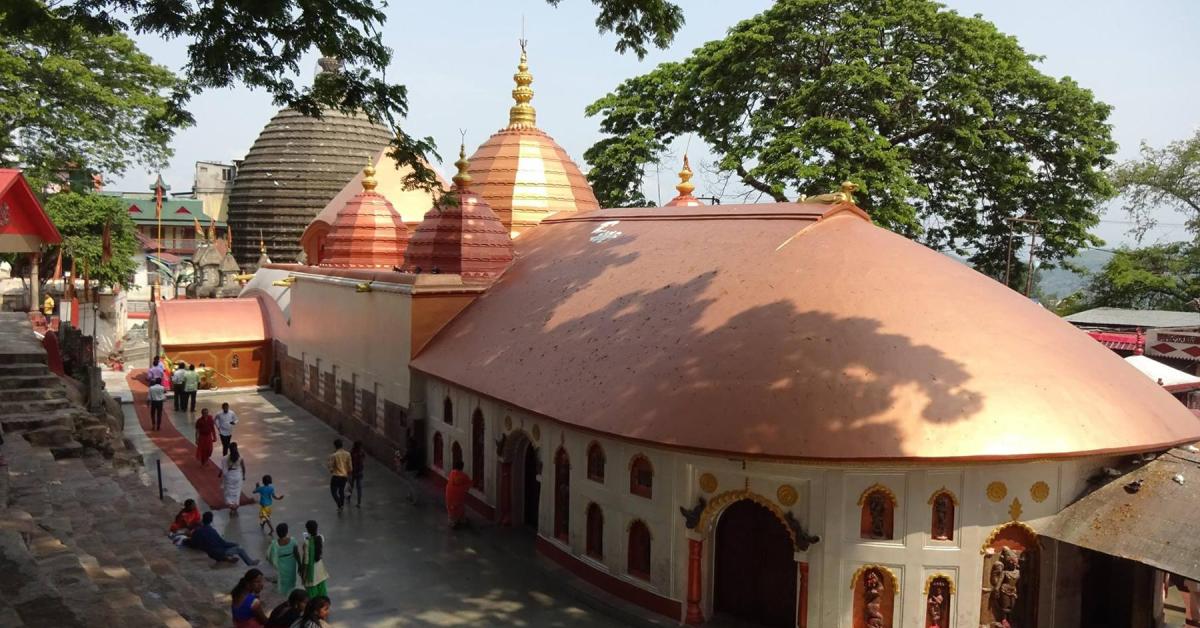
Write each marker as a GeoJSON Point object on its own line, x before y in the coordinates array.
{"type": "Point", "coordinates": [296, 166]}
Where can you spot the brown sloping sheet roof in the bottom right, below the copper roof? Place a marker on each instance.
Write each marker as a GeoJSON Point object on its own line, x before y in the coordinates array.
{"type": "Point", "coordinates": [1145, 516]}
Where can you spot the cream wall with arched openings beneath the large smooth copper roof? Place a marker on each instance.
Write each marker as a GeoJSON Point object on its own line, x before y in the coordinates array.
{"type": "Point", "coordinates": [824, 499]}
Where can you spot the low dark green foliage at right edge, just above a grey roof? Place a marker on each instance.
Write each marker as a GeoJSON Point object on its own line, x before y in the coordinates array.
{"type": "Point", "coordinates": [1154, 278]}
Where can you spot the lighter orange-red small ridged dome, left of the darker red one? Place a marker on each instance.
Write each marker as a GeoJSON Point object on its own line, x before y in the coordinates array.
{"type": "Point", "coordinates": [368, 232]}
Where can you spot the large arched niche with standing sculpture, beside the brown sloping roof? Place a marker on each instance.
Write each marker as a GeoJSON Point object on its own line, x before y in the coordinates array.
{"type": "Point", "coordinates": [1010, 596]}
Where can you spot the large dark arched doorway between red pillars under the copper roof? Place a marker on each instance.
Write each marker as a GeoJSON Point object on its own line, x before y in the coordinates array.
{"type": "Point", "coordinates": [755, 567]}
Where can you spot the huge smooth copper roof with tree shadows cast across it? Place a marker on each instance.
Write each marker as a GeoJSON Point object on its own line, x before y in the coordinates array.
{"type": "Point", "coordinates": [790, 332]}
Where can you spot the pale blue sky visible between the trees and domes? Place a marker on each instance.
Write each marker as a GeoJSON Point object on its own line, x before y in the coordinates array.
{"type": "Point", "coordinates": [458, 59]}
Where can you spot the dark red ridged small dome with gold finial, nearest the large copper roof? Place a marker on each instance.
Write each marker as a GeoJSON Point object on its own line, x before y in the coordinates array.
{"type": "Point", "coordinates": [465, 238]}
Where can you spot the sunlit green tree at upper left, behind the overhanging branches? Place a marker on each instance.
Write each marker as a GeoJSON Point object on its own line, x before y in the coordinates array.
{"type": "Point", "coordinates": [82, 103]}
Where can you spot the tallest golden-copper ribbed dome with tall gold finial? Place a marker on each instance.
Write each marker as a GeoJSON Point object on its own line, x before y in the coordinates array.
{"type": "Point", "coordinates": [523, 174]}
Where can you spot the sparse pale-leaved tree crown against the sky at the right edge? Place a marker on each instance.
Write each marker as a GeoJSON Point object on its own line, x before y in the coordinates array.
{"type": "Point", "coordinates": [1162, 178]}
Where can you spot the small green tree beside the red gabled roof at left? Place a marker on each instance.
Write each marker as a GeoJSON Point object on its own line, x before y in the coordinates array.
{"type": "Point", "coordinates": [81, 219]}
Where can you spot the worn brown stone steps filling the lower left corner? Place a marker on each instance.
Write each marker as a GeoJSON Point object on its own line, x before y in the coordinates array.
{"type": "Point", "coordinates": [88, 543]}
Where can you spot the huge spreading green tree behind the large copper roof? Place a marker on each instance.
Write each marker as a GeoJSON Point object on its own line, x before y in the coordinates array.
{"type": "Point", "coordinates": [945, 122]}
